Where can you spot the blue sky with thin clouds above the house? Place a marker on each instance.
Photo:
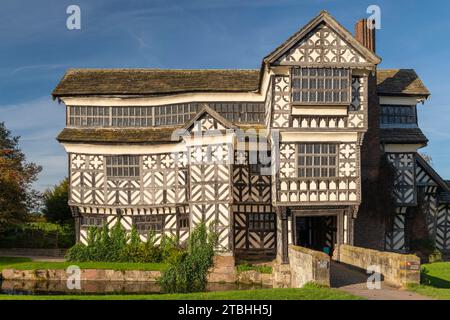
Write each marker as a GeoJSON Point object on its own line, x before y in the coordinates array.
{"type": "Point", "coordinates": [36, 48]}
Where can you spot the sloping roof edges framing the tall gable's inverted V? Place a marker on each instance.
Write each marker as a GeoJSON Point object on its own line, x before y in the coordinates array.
{"type": "Point", "coordinates": [323, 17]}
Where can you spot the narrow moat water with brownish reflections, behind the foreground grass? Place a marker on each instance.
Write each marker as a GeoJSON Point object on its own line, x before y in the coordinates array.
{"type": "Point", "coordinates": [17, 287]}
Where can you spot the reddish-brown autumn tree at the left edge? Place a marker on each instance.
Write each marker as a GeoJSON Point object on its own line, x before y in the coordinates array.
{"type": "Point", "coordinates": [17, 197]}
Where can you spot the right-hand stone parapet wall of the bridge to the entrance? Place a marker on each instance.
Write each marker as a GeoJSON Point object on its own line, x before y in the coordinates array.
{"type": "Point", "coordinates": [397, 269]}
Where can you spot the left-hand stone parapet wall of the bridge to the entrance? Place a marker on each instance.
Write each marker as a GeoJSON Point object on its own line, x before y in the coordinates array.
{"type": "Point", "coordinates": [308, 266]}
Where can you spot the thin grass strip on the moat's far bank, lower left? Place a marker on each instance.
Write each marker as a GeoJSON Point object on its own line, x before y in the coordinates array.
{"type": "Point", "coordinates": [16, 263]}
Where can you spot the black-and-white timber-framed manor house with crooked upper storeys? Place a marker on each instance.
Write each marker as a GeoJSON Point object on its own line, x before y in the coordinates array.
{"type": "Point", "coordinates": [166, 149]}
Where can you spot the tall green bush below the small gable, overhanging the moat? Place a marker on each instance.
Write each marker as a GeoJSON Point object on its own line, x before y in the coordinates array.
{"type": "Point", "coordinates": [188, 269]}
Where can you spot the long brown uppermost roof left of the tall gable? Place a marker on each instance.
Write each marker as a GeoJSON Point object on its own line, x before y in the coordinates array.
{"type": "Point", "coordinates": [77, 82]}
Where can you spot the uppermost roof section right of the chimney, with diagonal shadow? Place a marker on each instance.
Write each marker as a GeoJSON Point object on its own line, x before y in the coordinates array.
{"type": "Point", "coordinates": [392, 82]}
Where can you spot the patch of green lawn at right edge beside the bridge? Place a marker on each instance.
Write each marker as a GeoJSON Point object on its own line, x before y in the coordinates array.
{"type": "Point", "coordinates": [435, 281]}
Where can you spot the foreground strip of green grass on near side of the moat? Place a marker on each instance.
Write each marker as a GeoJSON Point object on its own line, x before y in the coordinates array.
{"type": "Point", "coordinates": [310, 292]}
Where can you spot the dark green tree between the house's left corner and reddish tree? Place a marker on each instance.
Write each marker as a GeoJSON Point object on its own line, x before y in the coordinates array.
{"type": "Point", "coordinates": [56, 208]}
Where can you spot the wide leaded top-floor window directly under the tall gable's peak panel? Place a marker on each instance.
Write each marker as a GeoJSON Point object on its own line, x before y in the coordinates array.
{"type": "Point", "coordinates": [321, 85]}
